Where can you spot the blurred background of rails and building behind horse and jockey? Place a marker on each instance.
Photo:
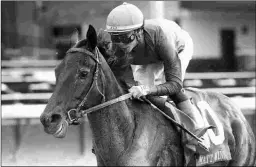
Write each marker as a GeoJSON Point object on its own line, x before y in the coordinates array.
{"type": "Point", "coordinates": [36, 34]}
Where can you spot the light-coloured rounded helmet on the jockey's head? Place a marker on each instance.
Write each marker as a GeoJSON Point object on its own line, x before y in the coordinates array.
{"type": "Point", "coordinates": [124, 18]}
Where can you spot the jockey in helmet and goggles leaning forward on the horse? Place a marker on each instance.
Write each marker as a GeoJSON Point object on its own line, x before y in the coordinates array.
{"type": "Point", "coordinates": [160, 52]}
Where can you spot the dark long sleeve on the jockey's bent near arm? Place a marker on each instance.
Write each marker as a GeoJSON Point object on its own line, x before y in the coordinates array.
{"type": "Point", "coordinates": [172, 66]}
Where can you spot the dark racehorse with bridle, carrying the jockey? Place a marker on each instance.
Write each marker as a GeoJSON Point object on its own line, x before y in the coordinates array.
{"type": "Point", "coordinates": [129, 132]}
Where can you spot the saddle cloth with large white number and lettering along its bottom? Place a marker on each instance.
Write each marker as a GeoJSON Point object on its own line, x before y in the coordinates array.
{"type": "Point", "coordinates": [215, 138]}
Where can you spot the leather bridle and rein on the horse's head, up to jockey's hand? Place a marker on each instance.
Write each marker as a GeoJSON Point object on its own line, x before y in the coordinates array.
{"type": "Point", "coordinates": [73, 115]}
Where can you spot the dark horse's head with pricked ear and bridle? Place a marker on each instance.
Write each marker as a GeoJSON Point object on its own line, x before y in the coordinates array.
{"type": "Point", "coordinates": [78, 78]}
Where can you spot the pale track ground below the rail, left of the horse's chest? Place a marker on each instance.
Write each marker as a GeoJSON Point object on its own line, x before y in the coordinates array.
{"type": "Point", "coordinates": [40, 149]}
